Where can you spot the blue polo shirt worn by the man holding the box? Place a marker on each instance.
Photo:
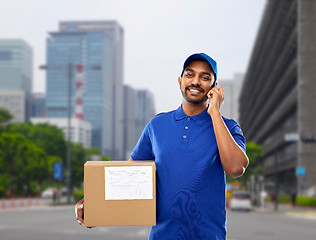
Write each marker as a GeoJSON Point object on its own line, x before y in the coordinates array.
{"type": "Point", "coordinates": [191, 187]}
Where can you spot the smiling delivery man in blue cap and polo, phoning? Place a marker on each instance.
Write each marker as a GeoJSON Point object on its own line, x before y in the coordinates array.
{"type": "Point", "coordinates": [192, 147]}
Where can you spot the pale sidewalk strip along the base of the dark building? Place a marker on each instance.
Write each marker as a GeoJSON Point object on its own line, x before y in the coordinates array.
{"type": "Point", "coordinates": [297, 211]}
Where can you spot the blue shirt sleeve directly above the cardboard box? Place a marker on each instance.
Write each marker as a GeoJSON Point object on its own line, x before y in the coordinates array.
{"type": "Point", "coordinates": [143, 148]}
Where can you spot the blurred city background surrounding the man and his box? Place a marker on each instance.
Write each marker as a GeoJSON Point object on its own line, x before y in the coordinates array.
{"type": "Point", "coordinates": [79, 80]}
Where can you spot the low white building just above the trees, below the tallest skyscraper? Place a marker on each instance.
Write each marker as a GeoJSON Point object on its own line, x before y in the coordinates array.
{"type": "Point", "coordinates": [80, 129]}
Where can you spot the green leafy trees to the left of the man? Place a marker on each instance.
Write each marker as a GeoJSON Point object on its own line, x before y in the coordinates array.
{"type": "Point", "coordinates": [28, 153]}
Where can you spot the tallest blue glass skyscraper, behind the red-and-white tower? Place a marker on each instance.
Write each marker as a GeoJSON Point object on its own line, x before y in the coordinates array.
{"type": "Point", "coordinates": [98, 45]}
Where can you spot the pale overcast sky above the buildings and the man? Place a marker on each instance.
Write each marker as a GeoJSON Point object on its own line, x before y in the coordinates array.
{"type": "Point", "coordinates": [158, 36]}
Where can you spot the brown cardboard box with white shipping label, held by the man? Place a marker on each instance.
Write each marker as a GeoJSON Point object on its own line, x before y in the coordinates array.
{"type": "Point", "coordinates": [119, 193]}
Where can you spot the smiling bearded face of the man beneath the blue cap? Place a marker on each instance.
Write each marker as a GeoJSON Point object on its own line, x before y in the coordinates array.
{"type": "Point", "coordinates": [196, 82]}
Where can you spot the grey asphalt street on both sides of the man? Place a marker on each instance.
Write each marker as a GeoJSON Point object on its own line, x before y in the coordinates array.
{"type": "Point", "coordinates": [50, 223]}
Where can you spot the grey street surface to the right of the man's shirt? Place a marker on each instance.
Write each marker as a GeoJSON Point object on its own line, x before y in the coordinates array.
{"type": "Point", "coordinates": [269, 225]}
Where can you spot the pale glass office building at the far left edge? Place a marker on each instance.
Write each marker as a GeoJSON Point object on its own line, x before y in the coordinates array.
{"type": "Point", "coordinates": [16, 63]}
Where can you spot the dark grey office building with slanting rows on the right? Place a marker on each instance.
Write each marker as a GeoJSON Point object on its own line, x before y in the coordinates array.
{"type": "Point", "coordinates": [277, 108]}
